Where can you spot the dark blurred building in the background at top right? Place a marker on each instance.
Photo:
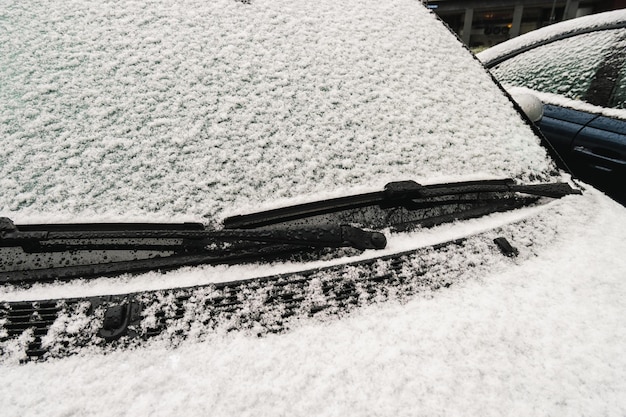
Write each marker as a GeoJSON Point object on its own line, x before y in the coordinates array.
{"type": "Point", "coordinates": [484, 23]}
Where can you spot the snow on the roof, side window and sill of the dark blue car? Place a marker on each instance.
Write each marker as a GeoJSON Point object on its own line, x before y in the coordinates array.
{"type": "Point", "coordinates": [559, 73]}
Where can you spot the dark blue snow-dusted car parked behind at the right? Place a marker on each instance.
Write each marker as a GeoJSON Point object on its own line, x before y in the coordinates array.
{"type": "Point", "coordinates": [577, 68]}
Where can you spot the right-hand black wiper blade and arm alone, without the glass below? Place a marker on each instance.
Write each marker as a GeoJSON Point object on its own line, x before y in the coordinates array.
{"type": "Point", "coordinates": [397, 194]}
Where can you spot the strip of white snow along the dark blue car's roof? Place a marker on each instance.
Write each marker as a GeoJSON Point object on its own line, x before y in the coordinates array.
{"type": "Point", "coordinates": [581, 24]}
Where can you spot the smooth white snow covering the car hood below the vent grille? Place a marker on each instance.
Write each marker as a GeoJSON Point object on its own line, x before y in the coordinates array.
{"type": "Point", "coordinates": [544, 337]}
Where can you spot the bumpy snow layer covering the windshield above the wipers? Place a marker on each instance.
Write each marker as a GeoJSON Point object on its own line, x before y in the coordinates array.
{"type": "Point", "coordinates": [192, 109]}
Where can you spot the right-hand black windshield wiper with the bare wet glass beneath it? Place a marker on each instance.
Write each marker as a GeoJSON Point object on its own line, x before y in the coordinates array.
{"type": "Point", "coordinates": [423, 205]}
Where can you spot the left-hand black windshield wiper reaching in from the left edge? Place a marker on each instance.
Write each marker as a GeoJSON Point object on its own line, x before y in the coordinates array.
{"type": "Point", "coordinates": [66, 251]}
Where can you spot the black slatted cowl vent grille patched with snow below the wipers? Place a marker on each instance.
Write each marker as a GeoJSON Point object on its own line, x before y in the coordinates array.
{"type": "Point", "coordinates": [57, 328]}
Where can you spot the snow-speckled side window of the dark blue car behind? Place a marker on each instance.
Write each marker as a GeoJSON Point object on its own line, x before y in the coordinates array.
{"type": "Point", "coordinates": [564, 67]}
